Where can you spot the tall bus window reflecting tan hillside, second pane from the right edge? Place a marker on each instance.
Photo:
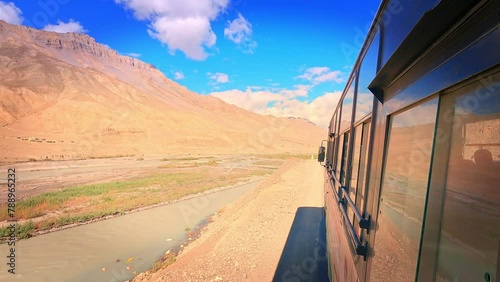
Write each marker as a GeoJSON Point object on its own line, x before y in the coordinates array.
{"type": "Point", "coordinates": [403, 194]}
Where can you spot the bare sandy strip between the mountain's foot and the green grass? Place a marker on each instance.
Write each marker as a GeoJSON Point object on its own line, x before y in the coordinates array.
{"type": "Point", "coordinates": [38, 177]}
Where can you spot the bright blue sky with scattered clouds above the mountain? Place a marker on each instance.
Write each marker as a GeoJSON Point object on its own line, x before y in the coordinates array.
{"type": "Point", "coordinates": [271, 57]}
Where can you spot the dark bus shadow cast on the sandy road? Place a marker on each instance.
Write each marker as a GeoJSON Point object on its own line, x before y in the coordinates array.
{"type": "Point", "coordinates": [304, 257]}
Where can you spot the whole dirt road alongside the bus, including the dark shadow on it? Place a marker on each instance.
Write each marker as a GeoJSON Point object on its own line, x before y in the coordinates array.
{"type": "Point", "coordinates": [257, 237]}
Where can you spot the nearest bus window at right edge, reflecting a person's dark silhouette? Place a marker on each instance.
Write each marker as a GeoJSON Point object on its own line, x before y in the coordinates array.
{"type": "Point", "coordinates": [470, 229]}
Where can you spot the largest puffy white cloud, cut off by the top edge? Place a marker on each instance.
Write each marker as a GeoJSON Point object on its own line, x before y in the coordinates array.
{"type": "Point", "coordinates": [181, 25]}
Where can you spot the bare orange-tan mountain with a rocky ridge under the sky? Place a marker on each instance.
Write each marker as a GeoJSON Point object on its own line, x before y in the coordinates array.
{"type": "Point", "coordinates": [66, 96]}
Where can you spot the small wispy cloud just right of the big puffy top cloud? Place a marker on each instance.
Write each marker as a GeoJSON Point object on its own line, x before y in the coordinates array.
{"type": "Point", "coordinates": [240, 32]}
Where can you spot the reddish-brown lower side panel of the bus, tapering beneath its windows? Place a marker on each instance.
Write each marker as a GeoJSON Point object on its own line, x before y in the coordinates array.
{"type": "Point", "coordinates": [341, 264]}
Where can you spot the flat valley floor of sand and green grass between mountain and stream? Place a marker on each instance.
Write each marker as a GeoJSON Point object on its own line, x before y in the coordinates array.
{"type": "Point", "coordinates": [55, 194]}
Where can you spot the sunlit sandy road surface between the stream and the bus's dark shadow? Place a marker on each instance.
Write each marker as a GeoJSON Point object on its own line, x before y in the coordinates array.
{"type": "Point", "coordinates": [246, 239]}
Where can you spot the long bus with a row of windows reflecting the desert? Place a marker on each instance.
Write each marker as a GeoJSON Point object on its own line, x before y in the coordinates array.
{"type": "Point", "coordinates": [412, 162]}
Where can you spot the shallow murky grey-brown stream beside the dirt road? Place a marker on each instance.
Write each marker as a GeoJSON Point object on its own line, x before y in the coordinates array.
{"type": "Point", "coordinates": [80, 253]}
